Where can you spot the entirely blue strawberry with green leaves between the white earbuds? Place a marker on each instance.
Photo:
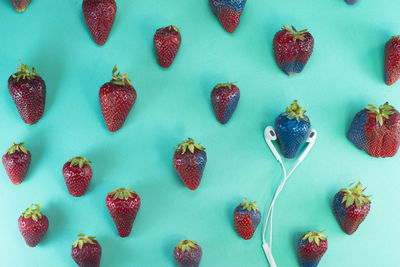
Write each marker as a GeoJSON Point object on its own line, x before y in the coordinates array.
{"type": "Point", "coordinates": [292, 130]}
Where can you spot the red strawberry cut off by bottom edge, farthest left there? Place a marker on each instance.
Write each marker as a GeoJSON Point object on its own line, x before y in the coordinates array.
{"type": "Point", "coordinates": [86, 251]}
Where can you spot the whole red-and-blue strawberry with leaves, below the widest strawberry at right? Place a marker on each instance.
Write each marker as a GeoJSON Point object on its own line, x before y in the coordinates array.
{"type": "Point", "coordinates": [351, 207]}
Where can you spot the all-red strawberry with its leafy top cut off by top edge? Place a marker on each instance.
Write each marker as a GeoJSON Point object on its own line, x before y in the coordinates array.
{"type": "Point", "coordinates": [99, 16]}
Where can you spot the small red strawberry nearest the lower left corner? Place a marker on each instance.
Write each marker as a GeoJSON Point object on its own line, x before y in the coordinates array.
{"type": "Point", "coordinates": [33, 230]}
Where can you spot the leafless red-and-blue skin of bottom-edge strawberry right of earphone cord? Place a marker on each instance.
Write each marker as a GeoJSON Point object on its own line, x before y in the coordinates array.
{"type": "Point", "coordinates": [310, 253]}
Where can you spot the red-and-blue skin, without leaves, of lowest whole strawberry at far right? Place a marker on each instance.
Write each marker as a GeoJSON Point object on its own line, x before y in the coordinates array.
{"type": "Point", "coordinates": [351, 217]}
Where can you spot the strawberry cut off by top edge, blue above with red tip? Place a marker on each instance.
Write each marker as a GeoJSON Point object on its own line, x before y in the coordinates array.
{"type": "Point", "coordinates": [228, 12]}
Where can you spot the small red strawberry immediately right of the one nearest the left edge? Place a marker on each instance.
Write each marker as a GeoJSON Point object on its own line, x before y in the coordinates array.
{"type": "Point", "coordinates": [77, 174]}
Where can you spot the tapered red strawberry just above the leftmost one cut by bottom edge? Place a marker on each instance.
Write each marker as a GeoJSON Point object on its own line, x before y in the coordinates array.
{"type": "Point", "coordinates": [123, 205]}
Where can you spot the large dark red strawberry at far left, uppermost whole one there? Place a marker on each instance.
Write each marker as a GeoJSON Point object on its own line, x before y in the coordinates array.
{"type": "Point", "coordinates": [28, 91]}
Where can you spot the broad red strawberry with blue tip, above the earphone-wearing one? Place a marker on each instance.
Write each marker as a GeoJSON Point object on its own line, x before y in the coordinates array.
{"type": "Point", "coordinates": [292, 49]}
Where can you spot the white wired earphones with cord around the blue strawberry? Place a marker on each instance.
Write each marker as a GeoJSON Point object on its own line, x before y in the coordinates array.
{"type": "Point", "coordinates": [270, 135]}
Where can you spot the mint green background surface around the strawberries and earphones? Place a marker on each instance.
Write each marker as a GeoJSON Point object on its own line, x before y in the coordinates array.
{"type": "Point", "coordinates": [344, 74]}
